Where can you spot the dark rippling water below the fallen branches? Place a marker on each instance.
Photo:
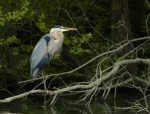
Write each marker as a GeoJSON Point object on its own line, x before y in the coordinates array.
{"type": "Point", "coordinates": [64, 106]}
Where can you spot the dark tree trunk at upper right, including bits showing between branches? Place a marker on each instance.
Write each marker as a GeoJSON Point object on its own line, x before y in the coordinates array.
{"type": "Point", "coordinates": [121, 27]}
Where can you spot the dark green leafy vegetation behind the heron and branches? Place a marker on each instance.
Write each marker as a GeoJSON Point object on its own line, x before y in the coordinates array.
{"type": "Point", "coordinates": [24, 22]}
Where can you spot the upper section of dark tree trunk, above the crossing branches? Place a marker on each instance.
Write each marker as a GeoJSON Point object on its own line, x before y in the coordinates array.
{"type": "Point", "coordinates": [120, 21]}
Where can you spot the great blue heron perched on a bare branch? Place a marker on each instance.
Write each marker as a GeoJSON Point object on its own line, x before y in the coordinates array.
{"type": "Point", "coordinates": [45, 49]}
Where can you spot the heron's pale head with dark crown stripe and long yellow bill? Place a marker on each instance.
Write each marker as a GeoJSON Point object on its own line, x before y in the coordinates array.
{"type": "Point", "coordinates": [58, 28]}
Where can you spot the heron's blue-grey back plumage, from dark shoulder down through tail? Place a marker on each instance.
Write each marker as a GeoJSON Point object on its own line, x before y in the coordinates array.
{"type": "Point", "coordinates": [39, 53]}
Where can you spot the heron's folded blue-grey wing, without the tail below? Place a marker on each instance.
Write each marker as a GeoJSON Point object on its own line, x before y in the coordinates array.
{"type": "Point", "coordinates": [39, 52]}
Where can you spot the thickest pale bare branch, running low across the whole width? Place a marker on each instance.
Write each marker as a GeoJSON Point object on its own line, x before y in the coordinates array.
{"type": "Point", "coordinates": [81, 87]}
